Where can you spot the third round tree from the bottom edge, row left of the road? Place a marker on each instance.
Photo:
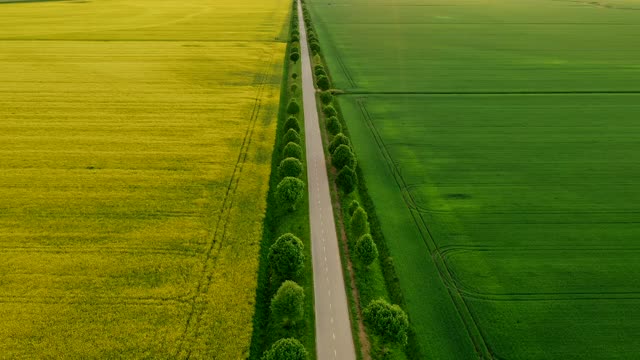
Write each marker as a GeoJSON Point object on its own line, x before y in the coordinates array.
{"type": "Point", "coordinates": [286, 256]}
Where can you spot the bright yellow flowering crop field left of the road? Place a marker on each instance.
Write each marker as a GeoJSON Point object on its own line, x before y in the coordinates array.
{"type": "Point", "coordinates": [135, 149]}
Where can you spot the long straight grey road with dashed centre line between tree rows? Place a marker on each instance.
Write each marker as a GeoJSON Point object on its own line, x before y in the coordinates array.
{"type": "Point", "coordinates": [333, 327]}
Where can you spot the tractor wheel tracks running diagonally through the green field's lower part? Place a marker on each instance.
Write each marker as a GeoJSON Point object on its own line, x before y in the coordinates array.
{"type": "Point", "coordinates": [473, 331]}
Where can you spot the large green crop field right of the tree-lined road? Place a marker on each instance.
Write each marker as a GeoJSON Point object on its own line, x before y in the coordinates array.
{"type": "Point", "coordinates": [500, 142]}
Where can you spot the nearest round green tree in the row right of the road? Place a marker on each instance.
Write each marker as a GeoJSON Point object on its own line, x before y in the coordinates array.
{"type": "Point", "coordinates": [388, 321]}
